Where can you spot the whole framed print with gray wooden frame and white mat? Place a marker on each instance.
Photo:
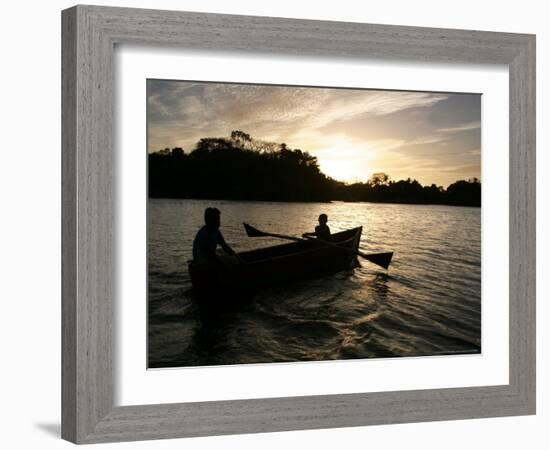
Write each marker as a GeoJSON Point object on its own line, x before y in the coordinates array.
{"type": "Point", "coordinates": [268, 222]}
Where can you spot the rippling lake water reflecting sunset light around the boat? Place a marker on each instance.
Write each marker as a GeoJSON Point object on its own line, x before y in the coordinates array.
{"type": "Point", "coordinates": [427, 303]}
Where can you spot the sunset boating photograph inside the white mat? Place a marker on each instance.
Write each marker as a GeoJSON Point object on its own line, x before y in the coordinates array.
{"type": "Point", "coordinates": [292, 224]}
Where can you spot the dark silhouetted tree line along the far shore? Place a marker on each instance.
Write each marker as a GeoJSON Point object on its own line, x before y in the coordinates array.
{"type": "Point", "coordinates": [242, 168]}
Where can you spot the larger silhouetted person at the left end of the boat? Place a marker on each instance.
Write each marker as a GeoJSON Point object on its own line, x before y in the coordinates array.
{"type": "Point", "coordinates": [208, 238]}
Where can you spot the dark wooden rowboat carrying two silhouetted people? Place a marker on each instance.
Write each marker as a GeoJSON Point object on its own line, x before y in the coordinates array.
{"type": "Point", "coordinates": [276, 265]}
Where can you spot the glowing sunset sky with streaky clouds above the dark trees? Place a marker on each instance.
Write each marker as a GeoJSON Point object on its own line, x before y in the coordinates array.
{"type": "Point", "coordinates": [432, 137]}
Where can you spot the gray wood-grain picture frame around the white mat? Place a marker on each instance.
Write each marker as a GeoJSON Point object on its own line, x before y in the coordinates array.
{"type": "Point", "coordinates": [89, 36]}
